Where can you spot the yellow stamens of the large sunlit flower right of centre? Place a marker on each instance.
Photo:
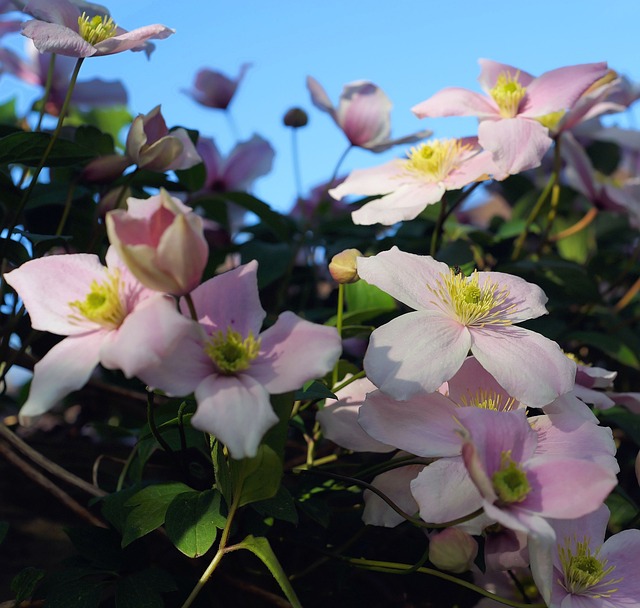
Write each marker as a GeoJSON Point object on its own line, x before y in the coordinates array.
{"type": "Point", "coordinates": [471, 303]}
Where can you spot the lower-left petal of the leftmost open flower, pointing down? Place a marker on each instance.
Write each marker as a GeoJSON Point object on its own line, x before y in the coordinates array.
{"type": "Point", "coordinates": [64, 369]}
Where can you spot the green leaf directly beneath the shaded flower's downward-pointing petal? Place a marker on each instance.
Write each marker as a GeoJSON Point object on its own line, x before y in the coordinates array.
{"type": "Point", "coordinates": [261, 475]}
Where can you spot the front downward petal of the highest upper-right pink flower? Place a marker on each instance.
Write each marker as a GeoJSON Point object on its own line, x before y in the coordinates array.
{"type": "Point", "coordinates": [516, 144]}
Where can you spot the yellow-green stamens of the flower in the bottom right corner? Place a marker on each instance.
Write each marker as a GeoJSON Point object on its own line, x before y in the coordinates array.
{"type": "Point", "coordinates": [584, 570]}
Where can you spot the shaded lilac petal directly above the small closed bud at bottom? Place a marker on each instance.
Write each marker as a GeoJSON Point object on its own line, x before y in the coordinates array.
{"type": "Point", "coordinates": [444, 491]}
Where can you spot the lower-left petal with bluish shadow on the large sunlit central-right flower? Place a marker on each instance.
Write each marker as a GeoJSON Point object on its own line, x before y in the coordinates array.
{"type": "Point", "coordinates": [398, 351]}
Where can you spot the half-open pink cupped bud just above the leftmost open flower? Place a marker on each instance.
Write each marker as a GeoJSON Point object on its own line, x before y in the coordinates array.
{"type": "Point", "coordinates": [161, 241]}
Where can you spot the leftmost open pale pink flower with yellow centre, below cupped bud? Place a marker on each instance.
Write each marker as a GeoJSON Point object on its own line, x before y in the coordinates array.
{"type": "Point", "coordinates": [104, 313]}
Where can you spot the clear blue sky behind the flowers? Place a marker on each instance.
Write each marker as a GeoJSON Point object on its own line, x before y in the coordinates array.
{"type": "Point", "coordinates": [410, 48]}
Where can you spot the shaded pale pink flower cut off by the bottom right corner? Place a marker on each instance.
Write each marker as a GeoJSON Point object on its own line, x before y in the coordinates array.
{"type": "Point", "coordinates": [582, 570]}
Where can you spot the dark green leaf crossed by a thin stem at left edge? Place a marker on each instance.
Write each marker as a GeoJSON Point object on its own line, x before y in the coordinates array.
{"type": "Point", "coordinates": [28, 149]}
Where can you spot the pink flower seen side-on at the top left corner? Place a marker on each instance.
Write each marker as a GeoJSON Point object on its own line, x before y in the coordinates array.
{"type": "Point", "coordinates": [60, 28]}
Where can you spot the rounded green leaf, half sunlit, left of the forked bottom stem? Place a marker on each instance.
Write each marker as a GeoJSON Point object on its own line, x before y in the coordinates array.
{"type": "Point", "coordinates": [192, 521]}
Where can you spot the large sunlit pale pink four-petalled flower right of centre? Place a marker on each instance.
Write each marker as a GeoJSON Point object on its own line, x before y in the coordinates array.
{"type": "Point", "coordinates": [455, 314]}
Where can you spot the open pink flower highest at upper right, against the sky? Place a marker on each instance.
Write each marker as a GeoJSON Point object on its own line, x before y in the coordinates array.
{"type": "Point", "coordinates": [515, 108]}
